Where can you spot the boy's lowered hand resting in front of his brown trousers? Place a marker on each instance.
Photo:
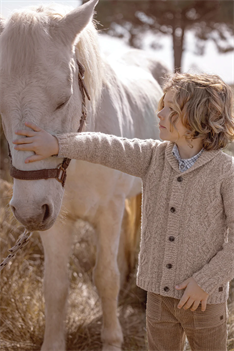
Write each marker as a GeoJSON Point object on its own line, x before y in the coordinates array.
{"type": "Point", "coordinates": [193, 295]}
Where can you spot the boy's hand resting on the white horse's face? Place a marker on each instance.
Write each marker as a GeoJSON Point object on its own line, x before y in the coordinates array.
{"type": "Point", "coordinates": [38, 140]}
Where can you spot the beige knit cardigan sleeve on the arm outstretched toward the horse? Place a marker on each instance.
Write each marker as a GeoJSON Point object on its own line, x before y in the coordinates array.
{"type": "Point", "coordinates": [132, 156]}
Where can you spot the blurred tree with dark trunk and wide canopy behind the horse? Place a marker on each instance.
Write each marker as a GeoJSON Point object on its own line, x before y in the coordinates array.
{"type": "Point", "coordinates": [209, 19]}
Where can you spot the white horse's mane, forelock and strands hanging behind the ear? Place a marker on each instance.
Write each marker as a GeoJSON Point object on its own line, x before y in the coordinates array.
{"type": "Point", "coordinates": [28, 30]}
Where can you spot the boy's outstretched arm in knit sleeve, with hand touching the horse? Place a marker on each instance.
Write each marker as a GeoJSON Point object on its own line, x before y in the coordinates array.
{"type": "Point", "coordinates": [131, 156]}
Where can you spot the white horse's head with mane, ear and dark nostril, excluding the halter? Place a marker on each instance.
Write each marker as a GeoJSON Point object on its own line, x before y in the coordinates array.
{"type": "Point", "coordinates": [38, 83]}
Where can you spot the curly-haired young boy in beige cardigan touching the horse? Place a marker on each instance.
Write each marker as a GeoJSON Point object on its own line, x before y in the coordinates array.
{"type": "Point", "coordinates": [187, 247]}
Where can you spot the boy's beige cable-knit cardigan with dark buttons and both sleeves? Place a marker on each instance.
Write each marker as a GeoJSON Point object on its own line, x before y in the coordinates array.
{"type": "Point", "coordinates": [187, 218]}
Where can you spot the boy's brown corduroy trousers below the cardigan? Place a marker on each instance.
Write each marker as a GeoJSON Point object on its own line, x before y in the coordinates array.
{"type": "Point", "coordinates": [167, 325]}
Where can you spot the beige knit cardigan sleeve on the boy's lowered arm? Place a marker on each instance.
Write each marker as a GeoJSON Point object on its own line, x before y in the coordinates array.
{"type": "Point", "coordinates": [220, 269]}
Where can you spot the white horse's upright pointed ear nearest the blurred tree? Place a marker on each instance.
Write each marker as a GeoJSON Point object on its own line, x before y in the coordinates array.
{"type": "Point", "coordinates": [74, 22]}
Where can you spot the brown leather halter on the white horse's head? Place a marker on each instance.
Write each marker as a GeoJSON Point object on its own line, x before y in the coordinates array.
{"type": "Point", "coordinates": [59, 173]}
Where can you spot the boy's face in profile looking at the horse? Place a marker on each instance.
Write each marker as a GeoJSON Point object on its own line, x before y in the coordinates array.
{"type": "Point", "coordinates": [167, 131]}
